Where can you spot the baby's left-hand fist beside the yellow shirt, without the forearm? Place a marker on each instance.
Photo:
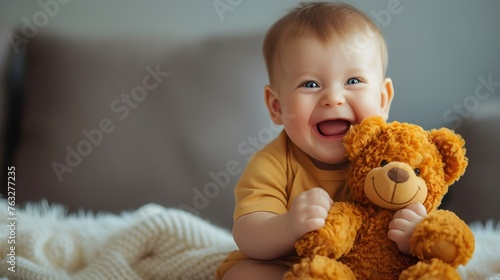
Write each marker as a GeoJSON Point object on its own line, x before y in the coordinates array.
{"type": "Point", "coordinates": [309, 211]}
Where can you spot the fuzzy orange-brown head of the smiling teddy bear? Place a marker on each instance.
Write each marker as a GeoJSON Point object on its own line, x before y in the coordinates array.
{"type": "Point", "coordinates": [395, 164]}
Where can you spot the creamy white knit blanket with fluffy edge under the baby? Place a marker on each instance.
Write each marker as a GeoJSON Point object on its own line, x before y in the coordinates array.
{"type": "Point", "coordinates": [150, 243]}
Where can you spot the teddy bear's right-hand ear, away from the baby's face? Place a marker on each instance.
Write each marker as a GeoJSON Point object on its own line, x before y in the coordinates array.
{"type": "Point", "coordinates": [452, 148]}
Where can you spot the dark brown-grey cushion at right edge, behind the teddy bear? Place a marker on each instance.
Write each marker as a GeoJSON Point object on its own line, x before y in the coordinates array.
{"type": "Point", "coordinates": [475, 197]}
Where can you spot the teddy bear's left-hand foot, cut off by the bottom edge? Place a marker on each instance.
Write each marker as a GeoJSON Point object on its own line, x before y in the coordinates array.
{"type": "Point", "coordinates": [319, 268]}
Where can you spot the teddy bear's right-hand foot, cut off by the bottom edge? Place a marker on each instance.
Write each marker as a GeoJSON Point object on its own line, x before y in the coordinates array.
{"type": "Point", "coordinates": [432, 270]}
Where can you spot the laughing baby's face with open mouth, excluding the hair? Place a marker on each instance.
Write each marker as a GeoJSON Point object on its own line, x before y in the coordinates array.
{"type": "Point", "coordinates": [323, 89]}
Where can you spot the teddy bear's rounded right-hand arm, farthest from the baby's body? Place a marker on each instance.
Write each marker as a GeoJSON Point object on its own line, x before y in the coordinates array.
{"type": "Point", "coordinates": [443, 235]}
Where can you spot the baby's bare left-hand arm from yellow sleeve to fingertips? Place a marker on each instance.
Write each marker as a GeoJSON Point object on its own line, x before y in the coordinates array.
{"type": "Point", "coordinates": [266, 235]}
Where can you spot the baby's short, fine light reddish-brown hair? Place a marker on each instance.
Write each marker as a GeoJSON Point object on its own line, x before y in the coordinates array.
{"type": "Point", "coordinates": [329, 22]}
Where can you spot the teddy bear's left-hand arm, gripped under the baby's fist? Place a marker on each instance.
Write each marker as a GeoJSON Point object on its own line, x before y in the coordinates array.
{"type": "Point", "coordinates": [337, 236]}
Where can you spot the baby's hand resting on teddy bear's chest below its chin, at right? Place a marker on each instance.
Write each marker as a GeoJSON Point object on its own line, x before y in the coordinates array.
{"type": "Point", "coordinates": [404, 223]}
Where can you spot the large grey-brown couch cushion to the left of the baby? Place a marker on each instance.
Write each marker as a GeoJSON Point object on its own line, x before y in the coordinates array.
{"type": "Point", "coordinates": [112, 124]}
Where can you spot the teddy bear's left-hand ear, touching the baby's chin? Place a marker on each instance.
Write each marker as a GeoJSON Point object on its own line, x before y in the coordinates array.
{"type": "Point", "coordinates": [359, 136]}
